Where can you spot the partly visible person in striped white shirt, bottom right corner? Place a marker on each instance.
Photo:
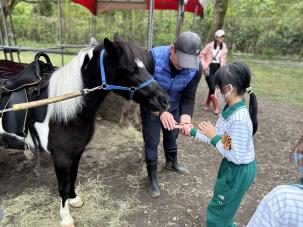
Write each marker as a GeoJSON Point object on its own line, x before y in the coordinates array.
{"type": "Point", "coordinates": [283, 206]}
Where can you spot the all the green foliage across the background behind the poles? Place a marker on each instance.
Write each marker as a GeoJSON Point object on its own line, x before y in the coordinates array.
{"type": "Point", "coordinates": [258, 26]}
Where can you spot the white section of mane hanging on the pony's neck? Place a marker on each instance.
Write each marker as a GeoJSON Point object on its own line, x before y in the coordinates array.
{"type": "Point", "coordinates": [66, 80]}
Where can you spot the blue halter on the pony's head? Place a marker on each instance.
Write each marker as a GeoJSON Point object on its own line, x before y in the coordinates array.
{"type": "Point", "coordinates": [108, 87]}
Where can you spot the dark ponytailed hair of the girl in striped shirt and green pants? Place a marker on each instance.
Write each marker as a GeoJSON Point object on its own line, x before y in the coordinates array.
{"type": "Point", "coordinates": [238, 75]}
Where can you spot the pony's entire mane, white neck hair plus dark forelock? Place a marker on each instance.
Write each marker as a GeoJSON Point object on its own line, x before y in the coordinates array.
{"type": "Point", "coordinates": [69, 79]}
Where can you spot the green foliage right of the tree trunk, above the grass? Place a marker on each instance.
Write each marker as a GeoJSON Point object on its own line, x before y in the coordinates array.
{"type": "Point", "coordinates": [265, 26]}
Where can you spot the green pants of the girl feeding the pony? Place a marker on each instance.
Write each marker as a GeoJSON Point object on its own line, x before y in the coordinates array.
{"type": "Point", "coordinates": [233, 181]}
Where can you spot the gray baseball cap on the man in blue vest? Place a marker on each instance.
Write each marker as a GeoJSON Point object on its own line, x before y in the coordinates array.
{"type": "Point", "coordinates": [188, 47]}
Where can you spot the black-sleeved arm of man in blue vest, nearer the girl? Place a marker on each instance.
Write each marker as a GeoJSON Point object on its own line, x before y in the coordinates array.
{"type": "Point", "coordinates": [189, 94]}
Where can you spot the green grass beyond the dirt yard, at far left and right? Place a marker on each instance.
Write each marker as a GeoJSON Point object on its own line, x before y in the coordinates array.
{"type": "Point", "coordinates": [274, 80]}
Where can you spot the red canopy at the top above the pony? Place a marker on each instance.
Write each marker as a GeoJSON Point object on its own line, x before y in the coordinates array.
{"type": "Point", "coordinates": [97, 6]}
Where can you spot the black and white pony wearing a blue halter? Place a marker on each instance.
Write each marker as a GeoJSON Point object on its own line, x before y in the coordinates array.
{"type": "Point", "coordinates": [69, 125]}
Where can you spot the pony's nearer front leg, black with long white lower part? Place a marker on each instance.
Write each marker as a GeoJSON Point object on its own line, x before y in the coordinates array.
{"type": "Point", "coordinates": [62, 163]}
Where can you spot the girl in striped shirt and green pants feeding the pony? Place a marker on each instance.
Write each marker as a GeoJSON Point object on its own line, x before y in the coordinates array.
{"type": "Point", "coordinates": [232, 136]}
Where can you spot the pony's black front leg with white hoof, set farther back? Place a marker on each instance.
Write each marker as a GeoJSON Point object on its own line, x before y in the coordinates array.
{"type": "Point", "coordinates": [75, 200]}
